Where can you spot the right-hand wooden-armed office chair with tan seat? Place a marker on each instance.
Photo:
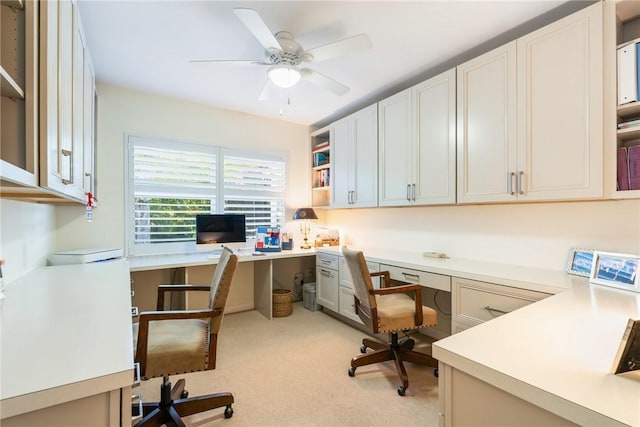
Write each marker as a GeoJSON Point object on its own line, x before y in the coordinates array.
{"type": "Point", "coordinates": [388, 309]}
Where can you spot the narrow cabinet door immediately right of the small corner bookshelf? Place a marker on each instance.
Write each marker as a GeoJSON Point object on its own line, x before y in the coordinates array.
{"type": "Point", "coordinates": [341, 162]}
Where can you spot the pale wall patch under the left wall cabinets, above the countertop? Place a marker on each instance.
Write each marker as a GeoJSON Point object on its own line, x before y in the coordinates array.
{"type": "Point", "coordinates": [26, 236]}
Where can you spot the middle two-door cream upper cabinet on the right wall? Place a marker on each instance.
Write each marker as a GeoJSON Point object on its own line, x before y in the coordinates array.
{"type": "Point", "coordinates": [417, 144]}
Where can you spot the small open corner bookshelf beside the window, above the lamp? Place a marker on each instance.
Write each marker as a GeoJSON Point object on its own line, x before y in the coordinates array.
{"type": "Point", "coordinates": [320, 168]}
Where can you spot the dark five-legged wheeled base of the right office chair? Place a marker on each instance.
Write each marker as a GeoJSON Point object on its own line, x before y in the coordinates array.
{"type": "Point", "coordinates": [398, 351]}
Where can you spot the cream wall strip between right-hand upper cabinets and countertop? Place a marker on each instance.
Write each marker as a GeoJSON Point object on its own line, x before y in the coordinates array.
{"type": "Point", "coordinates": [536, 234]}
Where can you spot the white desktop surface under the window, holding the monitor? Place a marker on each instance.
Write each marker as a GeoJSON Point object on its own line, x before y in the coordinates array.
{"type": "Point", "coordinates": [152, 262]}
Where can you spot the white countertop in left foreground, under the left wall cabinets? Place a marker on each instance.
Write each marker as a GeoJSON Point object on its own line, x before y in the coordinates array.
{"type": "Point", "coordinates": [66, 334]}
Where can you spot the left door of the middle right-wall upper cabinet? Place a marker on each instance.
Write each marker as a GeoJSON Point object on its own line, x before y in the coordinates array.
{"type": "Point", "coordinates": [394, 147]}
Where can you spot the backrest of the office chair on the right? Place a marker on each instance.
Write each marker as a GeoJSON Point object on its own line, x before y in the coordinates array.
{"type": "Point", "coordinates": [362, 287]}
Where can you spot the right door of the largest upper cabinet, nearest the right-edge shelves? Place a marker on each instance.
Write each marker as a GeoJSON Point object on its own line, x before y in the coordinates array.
{"type": "Point", "coordinates": [560, 107]}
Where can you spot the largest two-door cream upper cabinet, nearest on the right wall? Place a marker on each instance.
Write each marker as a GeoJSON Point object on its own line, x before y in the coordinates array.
{"type": "Point", "coordinates": [530, 116]}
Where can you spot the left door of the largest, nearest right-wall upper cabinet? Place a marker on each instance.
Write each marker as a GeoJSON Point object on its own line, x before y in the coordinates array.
{"type": "Point", "coordinates": [486, 122]}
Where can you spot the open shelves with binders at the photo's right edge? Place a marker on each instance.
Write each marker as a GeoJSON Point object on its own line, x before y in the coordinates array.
{"type": "Point", "coordinates": [627, 158]}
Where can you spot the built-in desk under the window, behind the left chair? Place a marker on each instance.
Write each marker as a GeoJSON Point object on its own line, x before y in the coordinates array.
{"type": "Point", "coordinates": [261, 273]}
